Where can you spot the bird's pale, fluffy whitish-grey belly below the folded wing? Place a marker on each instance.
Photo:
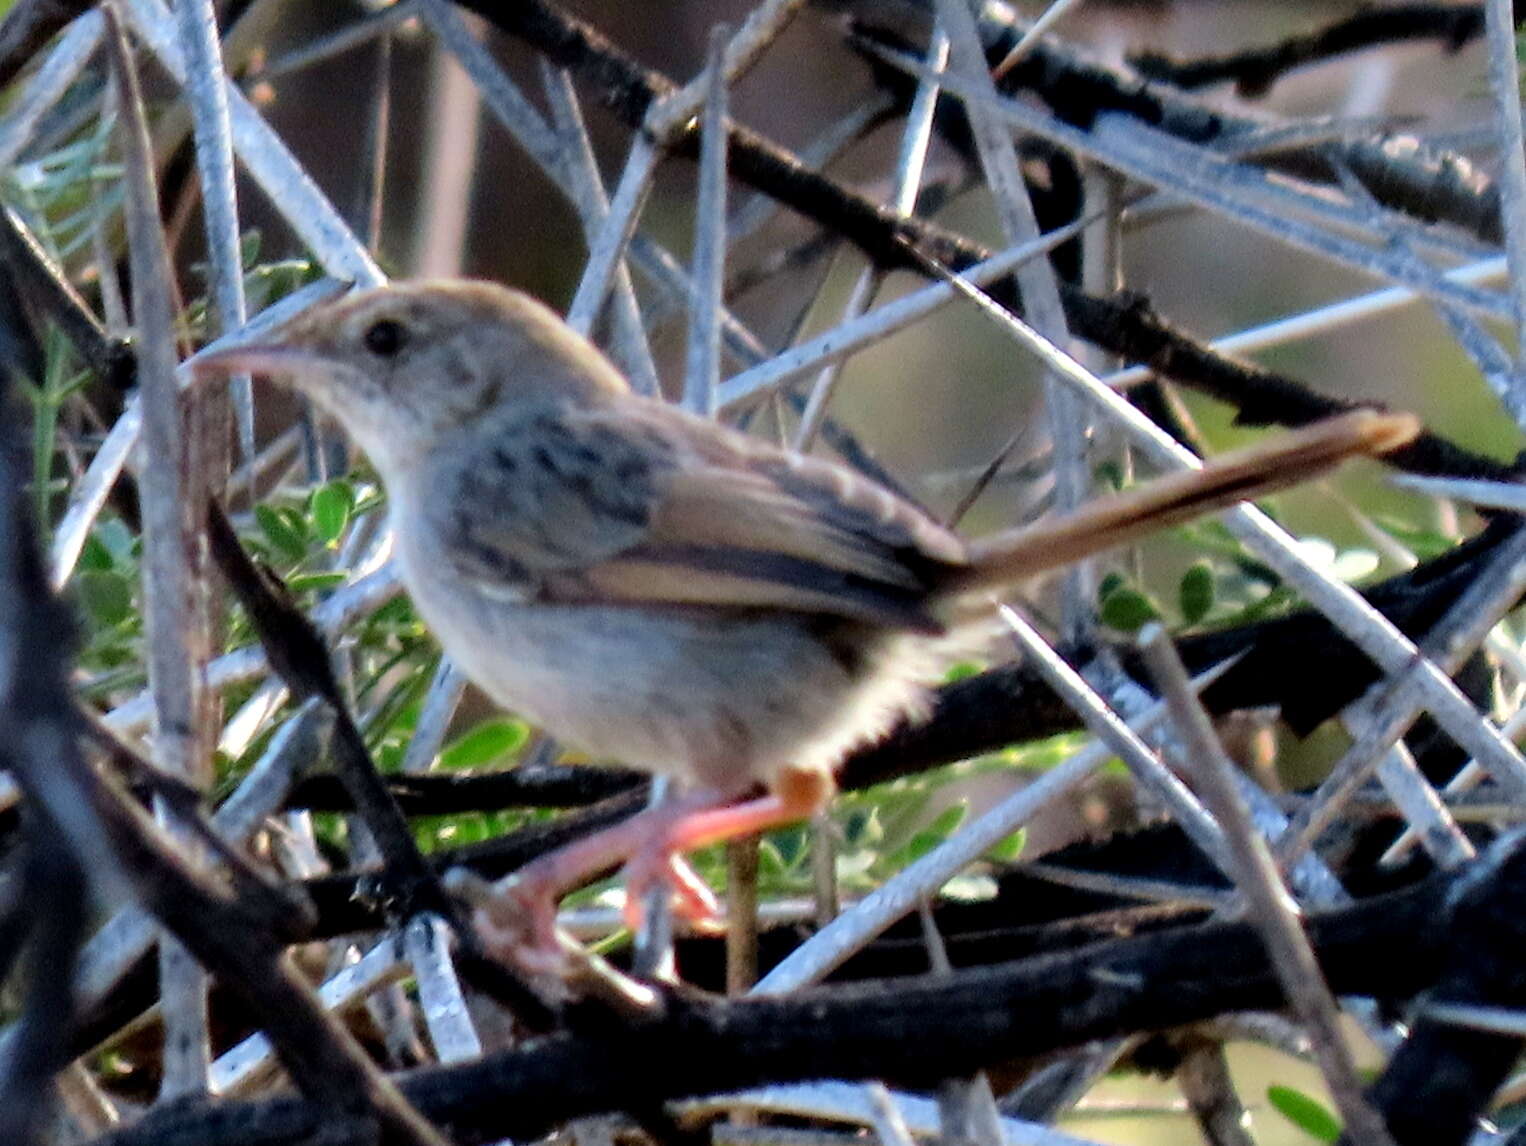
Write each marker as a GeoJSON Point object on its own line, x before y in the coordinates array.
{"type": "Point", "coordinates": [718, 698]}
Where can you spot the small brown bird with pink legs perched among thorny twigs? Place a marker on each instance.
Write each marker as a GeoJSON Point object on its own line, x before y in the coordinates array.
{"type": "Point", "coordinates": [663, 591]}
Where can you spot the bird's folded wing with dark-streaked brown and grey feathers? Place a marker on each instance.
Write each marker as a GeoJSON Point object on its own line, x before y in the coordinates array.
{"type": "Point", "coordinates": [642, 506]}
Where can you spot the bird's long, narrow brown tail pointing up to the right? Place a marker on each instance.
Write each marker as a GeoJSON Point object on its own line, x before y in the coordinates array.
{"type": "Point", "coordinates": [1231, 478]}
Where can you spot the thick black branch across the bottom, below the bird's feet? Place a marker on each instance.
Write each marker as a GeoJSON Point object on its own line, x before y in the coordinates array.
{"type": "Point", "coordinates": [922, 1029]}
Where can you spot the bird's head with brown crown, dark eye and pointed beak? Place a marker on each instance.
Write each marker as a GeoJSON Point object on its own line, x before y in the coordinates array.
{"type": "Point", "coordinates": [405, 367]}
